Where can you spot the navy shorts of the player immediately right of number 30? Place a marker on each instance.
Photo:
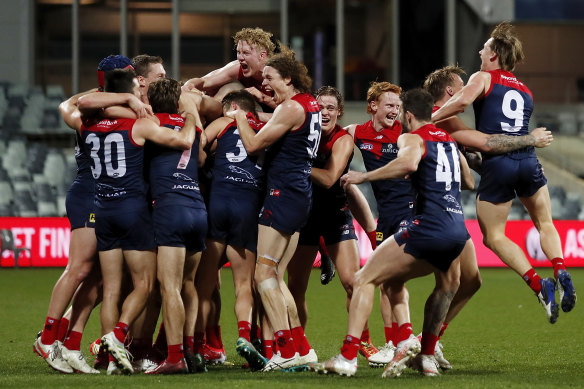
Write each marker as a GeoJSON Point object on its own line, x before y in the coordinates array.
{"type": "Point", "coordinates": [179, 225]}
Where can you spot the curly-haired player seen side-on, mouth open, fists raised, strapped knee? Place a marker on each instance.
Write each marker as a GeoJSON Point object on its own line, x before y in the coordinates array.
{"type": "Point", "coordinates": [292, 135]}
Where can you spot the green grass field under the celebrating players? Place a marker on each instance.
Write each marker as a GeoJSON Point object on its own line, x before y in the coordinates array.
{"type": "Point", "coordinates": [501, 339]}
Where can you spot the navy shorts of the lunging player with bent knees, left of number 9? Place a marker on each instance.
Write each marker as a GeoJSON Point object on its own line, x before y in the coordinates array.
{"type": "Point", "coordinates": [439, 245]}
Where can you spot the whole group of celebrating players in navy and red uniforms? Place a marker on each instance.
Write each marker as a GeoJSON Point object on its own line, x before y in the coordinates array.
{"type": "Point", "coordinates": [246, 165]}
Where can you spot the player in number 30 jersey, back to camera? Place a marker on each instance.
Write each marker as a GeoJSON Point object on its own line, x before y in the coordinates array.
{"type": "Point", "coordinates": [123, 224]}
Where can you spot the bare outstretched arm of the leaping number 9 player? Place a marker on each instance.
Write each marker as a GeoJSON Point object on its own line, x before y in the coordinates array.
{"type": "Point", "coordinates": [476, 87]}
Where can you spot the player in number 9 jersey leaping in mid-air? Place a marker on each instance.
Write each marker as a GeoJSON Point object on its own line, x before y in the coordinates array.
{"type": "Point", "coordinates": [503, 105]}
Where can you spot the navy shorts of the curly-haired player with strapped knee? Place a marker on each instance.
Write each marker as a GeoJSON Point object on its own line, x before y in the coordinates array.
{"type": "Point", "coordinates": [285, 210]}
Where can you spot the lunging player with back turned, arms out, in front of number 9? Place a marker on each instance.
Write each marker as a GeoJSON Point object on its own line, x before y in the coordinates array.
{"type": "Point", "coordinates": [430, 242]}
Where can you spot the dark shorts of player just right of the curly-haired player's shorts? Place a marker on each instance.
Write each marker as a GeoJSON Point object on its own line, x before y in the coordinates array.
{"type": "Point", "coordinates": [334, 226]}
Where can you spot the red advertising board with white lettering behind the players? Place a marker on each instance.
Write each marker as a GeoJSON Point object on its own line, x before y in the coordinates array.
{"type": "Point", "coordinates": [44, 241]}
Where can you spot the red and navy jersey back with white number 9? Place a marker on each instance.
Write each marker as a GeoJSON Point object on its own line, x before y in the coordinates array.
{"type": "Point", "coordinates": [506, 107]}
